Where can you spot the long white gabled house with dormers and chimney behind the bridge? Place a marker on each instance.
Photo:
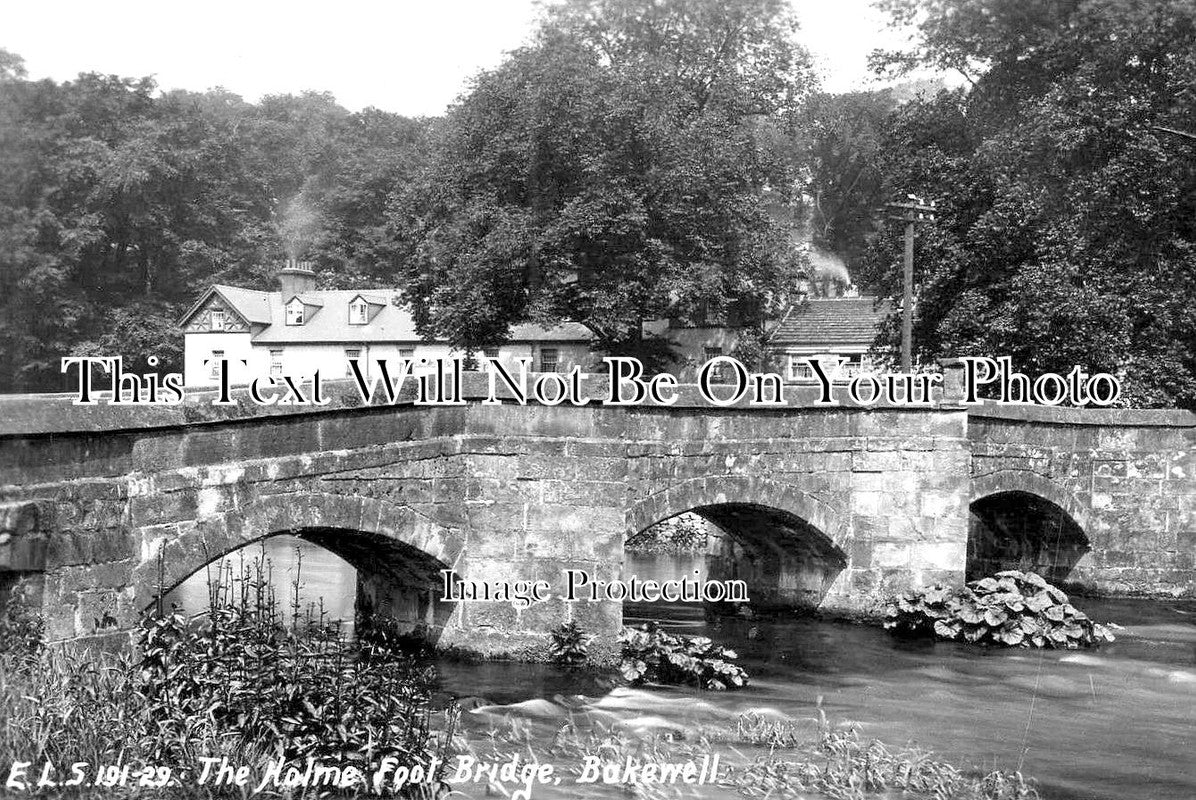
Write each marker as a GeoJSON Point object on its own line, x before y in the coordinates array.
{"type": "Point", "coordinates": [301, 329]}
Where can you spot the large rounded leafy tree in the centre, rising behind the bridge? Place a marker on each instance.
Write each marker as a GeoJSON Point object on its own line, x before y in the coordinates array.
{"type": "Point", "coordinates": [611, 173]}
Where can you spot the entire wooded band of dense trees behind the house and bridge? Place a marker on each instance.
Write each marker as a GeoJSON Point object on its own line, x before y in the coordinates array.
{"type": "Point", "coordinates": [639, 161]}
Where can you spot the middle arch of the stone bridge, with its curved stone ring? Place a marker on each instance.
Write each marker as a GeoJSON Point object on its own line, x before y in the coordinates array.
{"type": "Point", "coordinates": [786, 546]}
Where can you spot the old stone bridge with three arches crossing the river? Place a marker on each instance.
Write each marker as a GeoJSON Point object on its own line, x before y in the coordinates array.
{"type": "Point", "coordinates": [832, 508]}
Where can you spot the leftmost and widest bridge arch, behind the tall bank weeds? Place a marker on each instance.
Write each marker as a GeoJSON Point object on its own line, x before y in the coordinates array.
{"type": "Point", "coordinates": [398, 553]}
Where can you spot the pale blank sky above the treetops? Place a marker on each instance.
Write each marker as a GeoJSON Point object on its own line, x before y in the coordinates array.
{"type": "Point", "coordinates": [411, 58]}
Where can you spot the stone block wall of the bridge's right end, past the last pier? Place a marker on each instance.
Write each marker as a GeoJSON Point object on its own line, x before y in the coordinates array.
{"type": "Point", "coordinates": [1122, 484]}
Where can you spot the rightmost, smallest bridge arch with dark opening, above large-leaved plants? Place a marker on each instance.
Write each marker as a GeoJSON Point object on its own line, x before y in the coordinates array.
{"type": "Point", "coordinates": [1023, 521]}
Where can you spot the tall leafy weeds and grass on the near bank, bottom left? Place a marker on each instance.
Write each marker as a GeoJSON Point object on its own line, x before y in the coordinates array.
{"type": "Point", "coordinates": [251, 683]}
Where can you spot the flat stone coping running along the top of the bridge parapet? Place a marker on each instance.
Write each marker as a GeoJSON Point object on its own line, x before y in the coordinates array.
{"type": "Point", "coordinates": [25, 416]}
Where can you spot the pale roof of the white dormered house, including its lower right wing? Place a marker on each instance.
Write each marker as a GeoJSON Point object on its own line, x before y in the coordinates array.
{"type": "Point", "coordinates": [329, 322]}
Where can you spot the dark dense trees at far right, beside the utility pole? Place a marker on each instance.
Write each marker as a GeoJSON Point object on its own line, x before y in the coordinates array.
{"type": "Point", "coordinates": [1069, 205]}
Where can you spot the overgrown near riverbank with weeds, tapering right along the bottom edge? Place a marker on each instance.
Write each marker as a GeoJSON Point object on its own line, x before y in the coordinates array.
{"type": "Point", "coordinates": [247, 705]}
